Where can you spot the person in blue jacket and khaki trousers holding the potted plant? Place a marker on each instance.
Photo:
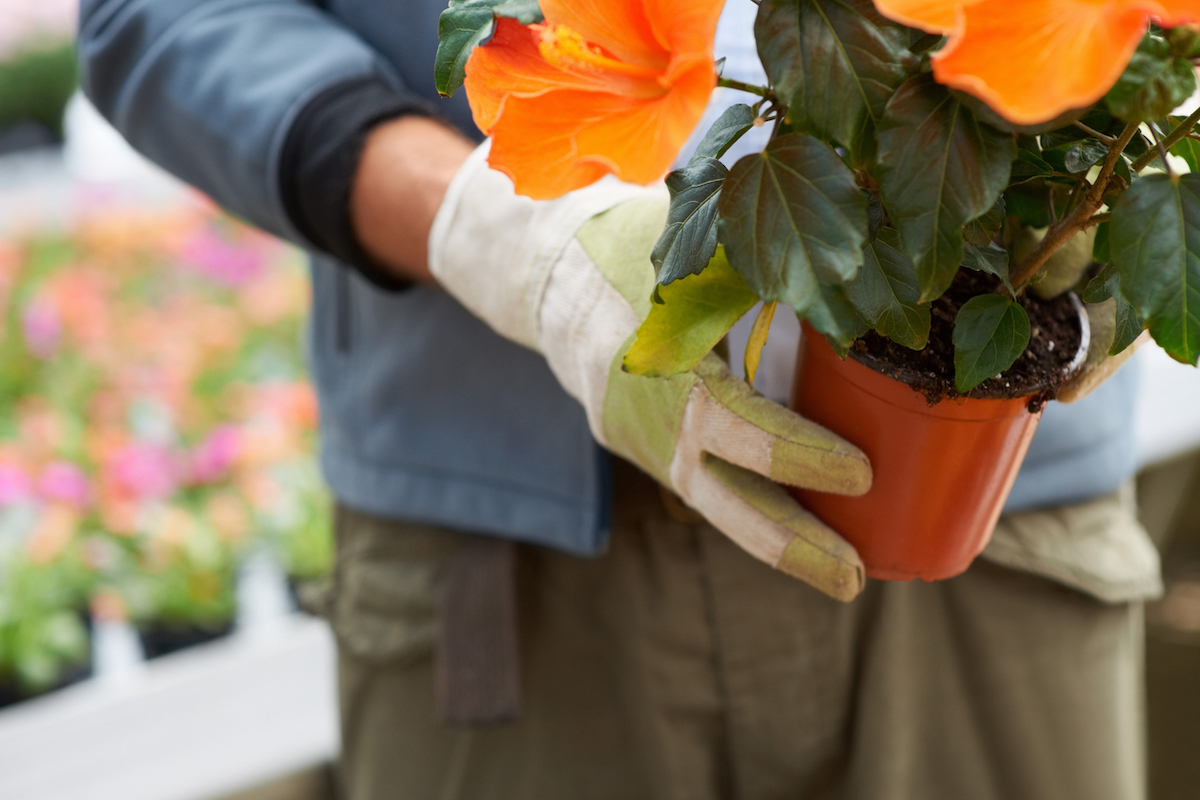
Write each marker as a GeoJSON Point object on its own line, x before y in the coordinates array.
{"type": "Point", "coordinates": [520, 613]}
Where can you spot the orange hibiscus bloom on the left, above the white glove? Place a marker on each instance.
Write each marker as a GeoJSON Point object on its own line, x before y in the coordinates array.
{"type": "Point", "coordinates": [602, 87]}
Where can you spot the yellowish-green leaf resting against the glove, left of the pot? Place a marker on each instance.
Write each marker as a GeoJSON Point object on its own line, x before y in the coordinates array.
{"type": "Point", "coordinates": [697, 312]}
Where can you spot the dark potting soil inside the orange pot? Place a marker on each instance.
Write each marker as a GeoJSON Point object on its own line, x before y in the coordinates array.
{"type": "Point", "coordinates": [1039, 374]}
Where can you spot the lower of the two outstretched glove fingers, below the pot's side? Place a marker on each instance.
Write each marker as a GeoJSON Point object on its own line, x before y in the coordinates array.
{"type": "Point", "coordinates": [765, 521]}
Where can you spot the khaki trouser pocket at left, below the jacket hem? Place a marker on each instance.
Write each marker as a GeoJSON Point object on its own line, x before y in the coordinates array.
{"type": "Point", "coordinates": [385, 605]}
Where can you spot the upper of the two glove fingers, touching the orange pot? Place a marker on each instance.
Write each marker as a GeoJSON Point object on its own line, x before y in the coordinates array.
{"type": "Point", "coordinates": [739, 425]}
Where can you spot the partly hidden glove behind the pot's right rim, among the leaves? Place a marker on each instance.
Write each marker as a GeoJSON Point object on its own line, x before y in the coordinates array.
{"type": "Point", "coordinates": [1061, 274]}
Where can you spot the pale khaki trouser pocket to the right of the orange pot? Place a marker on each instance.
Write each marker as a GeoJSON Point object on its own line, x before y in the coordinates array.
{"type": "Point", "coordinates": [1097, 548]}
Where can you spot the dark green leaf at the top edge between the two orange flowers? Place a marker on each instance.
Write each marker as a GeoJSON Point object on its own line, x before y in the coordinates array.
{"type": "Point", "coordinates": [836, 64]}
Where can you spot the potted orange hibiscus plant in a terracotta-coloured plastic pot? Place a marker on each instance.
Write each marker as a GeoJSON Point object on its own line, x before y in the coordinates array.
{"type": "Point", "coordinates": [939, 178]}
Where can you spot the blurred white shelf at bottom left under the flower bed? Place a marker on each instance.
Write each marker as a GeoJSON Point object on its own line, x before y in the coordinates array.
{"type": "Point", "coordinates": [197, 725]}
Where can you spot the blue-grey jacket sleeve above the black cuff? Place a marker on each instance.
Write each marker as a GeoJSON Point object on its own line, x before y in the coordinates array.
{"type": "Point", "coordinates": [211, 89]}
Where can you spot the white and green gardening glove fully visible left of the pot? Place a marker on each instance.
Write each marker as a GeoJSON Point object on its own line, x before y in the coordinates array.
{"type": "Point", "coordinates": [572, 279]}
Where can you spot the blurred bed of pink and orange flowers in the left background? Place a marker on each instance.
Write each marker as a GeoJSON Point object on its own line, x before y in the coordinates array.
{"type": "Point", "coordinates": [155, 425]}
